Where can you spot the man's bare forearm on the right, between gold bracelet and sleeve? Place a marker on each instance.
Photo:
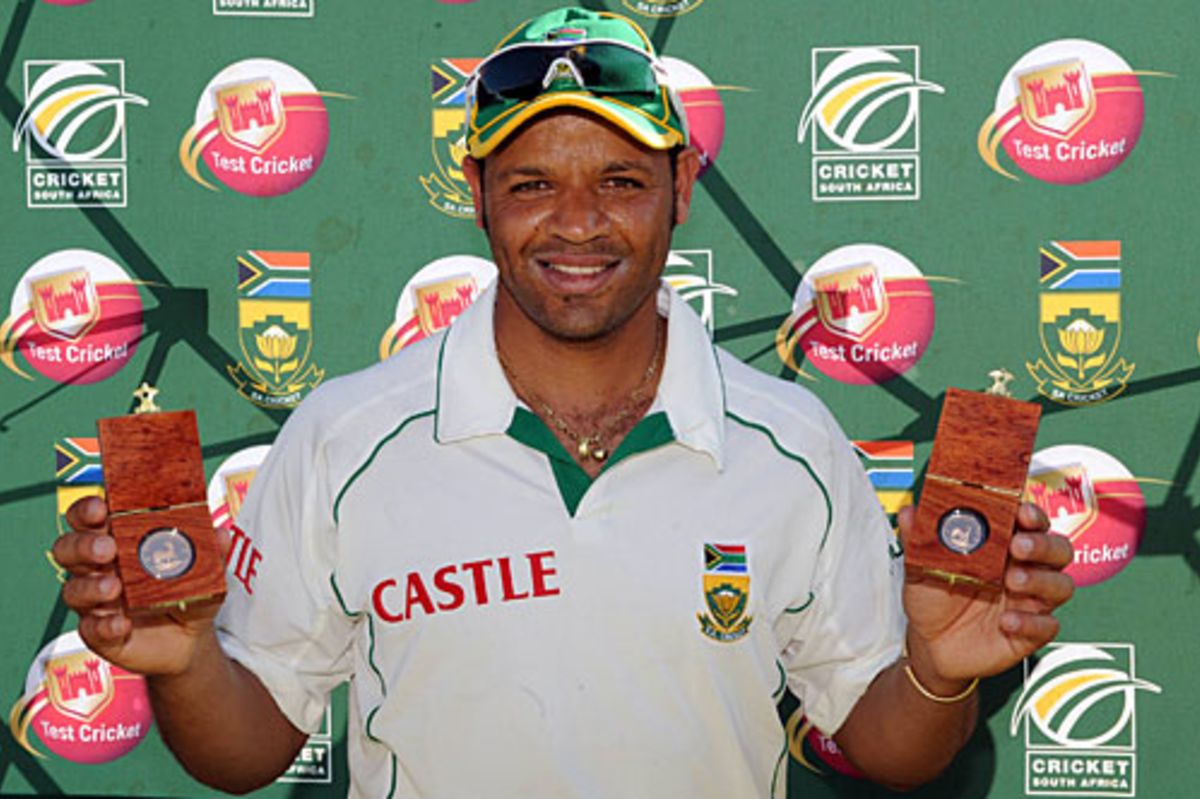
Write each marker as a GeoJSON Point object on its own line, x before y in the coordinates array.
{"type": "Point", "coordinates": [901, 738]}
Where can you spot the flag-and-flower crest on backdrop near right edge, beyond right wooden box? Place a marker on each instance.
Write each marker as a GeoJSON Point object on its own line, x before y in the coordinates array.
{"type": "Point", "coordinates": [1079, 323]}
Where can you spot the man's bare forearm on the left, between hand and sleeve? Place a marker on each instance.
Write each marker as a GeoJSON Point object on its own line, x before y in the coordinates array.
{"type": "Point", "coordinates": [221, 724]}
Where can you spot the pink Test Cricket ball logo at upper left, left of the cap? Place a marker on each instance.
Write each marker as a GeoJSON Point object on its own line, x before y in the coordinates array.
{"type": "Point", "coordinates": [261, 129]}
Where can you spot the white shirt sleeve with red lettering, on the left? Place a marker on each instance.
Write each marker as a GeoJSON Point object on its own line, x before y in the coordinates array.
{"type": "Point", "coordinates": [283, 618]}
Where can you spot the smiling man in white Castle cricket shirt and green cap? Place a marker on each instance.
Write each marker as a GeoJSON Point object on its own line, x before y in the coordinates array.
{"type": "Point", "coordinates": [568, 549]}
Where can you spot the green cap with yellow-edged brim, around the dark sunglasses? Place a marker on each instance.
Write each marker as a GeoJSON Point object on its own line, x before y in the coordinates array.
{"type": "Point", "coordinates": [656, 118]}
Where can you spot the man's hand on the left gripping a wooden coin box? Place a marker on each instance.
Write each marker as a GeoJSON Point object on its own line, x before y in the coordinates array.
{"type": "Point", "coordinates": [157, 645]}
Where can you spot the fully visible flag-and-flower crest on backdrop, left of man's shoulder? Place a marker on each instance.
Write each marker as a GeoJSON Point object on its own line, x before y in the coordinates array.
{"type": "Point", "coordinates": [275, 329]}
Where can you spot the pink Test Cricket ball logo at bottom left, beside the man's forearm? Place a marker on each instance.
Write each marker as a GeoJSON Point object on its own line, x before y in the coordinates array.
{"type": "Point", "coordinates": [80, 706]}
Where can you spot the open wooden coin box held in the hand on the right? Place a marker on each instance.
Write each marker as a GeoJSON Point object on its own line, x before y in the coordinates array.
{"type": "Point", "coordinates": [974, 488]}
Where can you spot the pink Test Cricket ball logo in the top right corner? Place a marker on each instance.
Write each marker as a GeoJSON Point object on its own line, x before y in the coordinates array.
{"type": "Point", "coordinates": [1069, 112]}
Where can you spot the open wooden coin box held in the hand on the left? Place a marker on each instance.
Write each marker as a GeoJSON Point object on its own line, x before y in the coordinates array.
{"type": "Point", "coordinates": [167, 552]}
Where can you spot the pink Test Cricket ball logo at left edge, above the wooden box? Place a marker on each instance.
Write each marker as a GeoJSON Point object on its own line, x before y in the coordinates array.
{"type": "Point", "coordinates": [75, 317]}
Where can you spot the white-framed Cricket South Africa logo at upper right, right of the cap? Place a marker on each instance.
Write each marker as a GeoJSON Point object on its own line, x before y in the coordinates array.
{"type": "Point", "coordinates": [863, 122]}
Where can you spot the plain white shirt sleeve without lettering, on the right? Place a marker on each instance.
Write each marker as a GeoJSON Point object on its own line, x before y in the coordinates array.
{"type": "Point", "coordinates": [854, 623]}
